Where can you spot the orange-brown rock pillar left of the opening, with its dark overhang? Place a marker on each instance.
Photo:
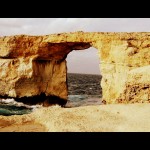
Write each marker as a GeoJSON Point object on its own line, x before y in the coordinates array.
{"type": "Point", "coordinates": [29, 66]}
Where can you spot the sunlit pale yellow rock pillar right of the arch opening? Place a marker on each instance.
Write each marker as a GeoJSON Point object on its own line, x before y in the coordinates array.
{"type": "Point", "coordinates": [119, 58]}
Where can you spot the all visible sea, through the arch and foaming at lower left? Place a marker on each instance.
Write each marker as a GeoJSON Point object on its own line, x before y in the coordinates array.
{"type": "Point", "coordinates": [83, 90]}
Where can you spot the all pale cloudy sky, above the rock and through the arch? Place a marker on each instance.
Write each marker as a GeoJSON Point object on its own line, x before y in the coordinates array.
{"type": "Point", "coordinates": [85, 61]}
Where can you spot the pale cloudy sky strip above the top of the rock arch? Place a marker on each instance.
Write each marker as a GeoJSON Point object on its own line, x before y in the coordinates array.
{"type": "Point", "coordinates": [41, 26]}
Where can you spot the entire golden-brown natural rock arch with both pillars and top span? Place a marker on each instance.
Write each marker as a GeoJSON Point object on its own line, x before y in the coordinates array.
{"type": "Point", "coordinates": [35, 66]}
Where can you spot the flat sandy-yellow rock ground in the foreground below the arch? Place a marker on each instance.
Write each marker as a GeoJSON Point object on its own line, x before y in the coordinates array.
{"type": "Point", "coordinates": [102, 118]}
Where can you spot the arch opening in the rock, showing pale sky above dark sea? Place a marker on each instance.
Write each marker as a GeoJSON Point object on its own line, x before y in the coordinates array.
{"type": "Point", "coordinates": [83, 78]}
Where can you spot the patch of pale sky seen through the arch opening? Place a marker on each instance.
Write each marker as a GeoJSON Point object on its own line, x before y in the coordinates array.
{"type": "Point", "coordinates": [83, 61]}
